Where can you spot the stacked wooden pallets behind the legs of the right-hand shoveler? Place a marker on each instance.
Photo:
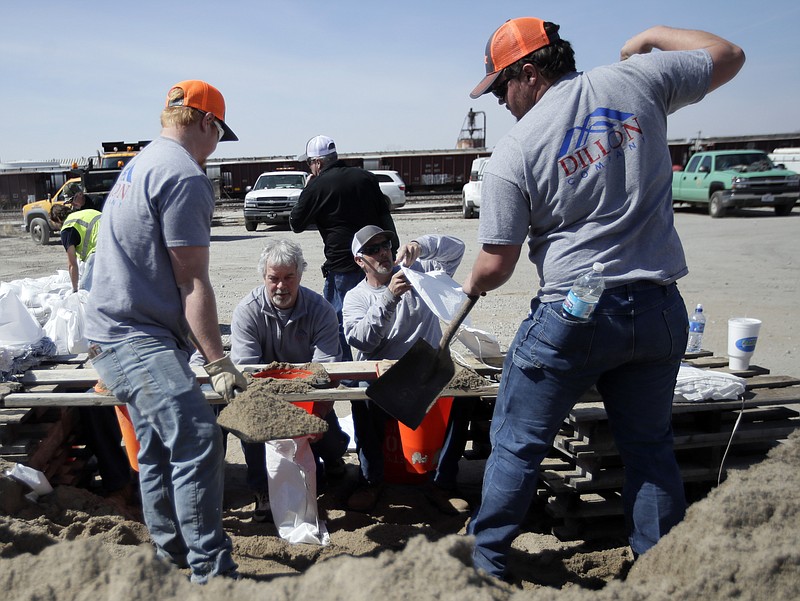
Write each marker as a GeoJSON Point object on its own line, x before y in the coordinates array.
{"type": "Point", "coordinates": [584, 474]}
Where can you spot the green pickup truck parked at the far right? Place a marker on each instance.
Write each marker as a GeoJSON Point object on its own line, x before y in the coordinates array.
{"type": "Point", "coordinates": [733, 179]}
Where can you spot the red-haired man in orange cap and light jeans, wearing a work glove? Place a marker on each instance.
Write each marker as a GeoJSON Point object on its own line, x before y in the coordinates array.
{"type": "Point", "coordinates": [155, 304]}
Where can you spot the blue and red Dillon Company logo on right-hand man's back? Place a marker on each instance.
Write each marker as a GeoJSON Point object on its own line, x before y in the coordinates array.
{"type": "Point", "coordinates": [604, 133]}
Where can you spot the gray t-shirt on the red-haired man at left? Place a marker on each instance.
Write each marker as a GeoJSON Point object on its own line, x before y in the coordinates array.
{"type": "Point", "coordinates": [162, 199]}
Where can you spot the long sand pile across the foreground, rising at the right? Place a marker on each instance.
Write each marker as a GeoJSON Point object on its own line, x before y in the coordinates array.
{"type": "Point", "coordinates": [739, 542]}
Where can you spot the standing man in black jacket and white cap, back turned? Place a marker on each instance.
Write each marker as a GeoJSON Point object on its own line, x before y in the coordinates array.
{"type": "Point", "coordinates": [340, 200]}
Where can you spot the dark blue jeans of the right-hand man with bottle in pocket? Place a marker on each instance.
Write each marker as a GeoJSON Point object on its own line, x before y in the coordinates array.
{"type": "Point", "coordinates": [631, 350]}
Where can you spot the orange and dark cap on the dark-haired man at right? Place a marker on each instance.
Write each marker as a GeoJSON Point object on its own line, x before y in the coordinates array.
{"type": "Point", "coordinates": [511, 41]}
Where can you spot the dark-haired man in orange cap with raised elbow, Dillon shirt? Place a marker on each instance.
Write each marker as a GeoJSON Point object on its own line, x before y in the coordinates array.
{"type": "Point", "coordinates": [585, 176]}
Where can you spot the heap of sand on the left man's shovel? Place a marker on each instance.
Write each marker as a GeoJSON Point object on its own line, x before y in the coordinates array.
{"type": "Point", "coordinates": [259, 415]}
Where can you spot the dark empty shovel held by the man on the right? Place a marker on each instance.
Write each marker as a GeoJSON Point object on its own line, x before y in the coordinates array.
{"type": "Point", "coordinates": [410, 387]}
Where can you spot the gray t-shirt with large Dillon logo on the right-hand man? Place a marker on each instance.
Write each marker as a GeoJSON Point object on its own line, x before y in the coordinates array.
{"type": "Point", "coordinates": [586, 174]}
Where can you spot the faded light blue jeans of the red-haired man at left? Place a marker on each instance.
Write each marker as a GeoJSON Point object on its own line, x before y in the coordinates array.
{"type": "Point", "coordinates": [180, 457]}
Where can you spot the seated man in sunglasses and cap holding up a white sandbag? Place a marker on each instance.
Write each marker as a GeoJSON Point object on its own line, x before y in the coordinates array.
{"type": "Point", "coordinates": [383, 317]}
